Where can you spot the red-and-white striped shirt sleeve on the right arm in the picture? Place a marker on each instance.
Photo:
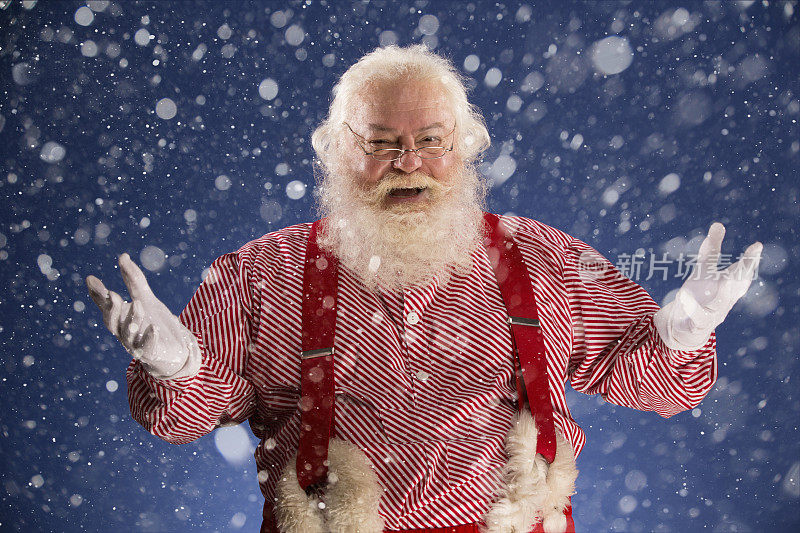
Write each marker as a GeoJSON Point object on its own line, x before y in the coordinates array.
{"type": "Point", "coordinates": [617, 351]}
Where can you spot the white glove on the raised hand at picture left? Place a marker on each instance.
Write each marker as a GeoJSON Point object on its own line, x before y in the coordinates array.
{"type": "Point", "coordinates": [145, 327]}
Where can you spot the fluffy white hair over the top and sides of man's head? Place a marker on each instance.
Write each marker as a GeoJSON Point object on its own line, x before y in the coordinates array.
{"type": "Point", "coordinates": [387, 65]}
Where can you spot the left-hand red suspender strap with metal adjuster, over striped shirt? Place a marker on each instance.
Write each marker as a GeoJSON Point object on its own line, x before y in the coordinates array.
{"type": "Point", "coordinates": [316, 365]}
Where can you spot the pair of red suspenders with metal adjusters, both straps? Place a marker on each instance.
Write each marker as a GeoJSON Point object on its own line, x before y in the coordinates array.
{"type": "Point", "coordinates": [319, 323]}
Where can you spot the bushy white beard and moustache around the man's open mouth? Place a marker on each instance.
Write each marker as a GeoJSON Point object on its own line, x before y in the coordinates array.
{"type": "Point", "coordinates": [402, 245]}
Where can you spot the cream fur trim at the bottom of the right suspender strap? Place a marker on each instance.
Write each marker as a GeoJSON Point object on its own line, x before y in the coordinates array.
{"type": "Point", "coordinates": [533, 491]}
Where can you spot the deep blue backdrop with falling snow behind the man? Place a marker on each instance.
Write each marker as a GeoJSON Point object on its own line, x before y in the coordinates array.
{"type": "Point", "coordinates": [701, 126]}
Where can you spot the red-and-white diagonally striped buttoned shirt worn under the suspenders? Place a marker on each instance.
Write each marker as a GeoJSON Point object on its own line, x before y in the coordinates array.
{"type": "Point", "coordinates": [423, 377]}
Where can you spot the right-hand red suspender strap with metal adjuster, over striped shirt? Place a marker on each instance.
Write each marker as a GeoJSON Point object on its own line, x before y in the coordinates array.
{"type": "Point", "coordinates": [526, 333]}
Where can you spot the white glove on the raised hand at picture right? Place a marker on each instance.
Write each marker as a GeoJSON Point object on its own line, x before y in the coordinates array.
{"type": "Point", "coordinates": [708, 294]}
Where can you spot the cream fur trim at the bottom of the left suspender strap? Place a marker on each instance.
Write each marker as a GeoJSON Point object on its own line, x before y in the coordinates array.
{"type": "Point", "coordinates": [352, 496]}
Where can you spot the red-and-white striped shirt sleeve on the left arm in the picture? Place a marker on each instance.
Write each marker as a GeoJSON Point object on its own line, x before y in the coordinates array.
{"type": "Point", "coordinates": [182, 410]}
